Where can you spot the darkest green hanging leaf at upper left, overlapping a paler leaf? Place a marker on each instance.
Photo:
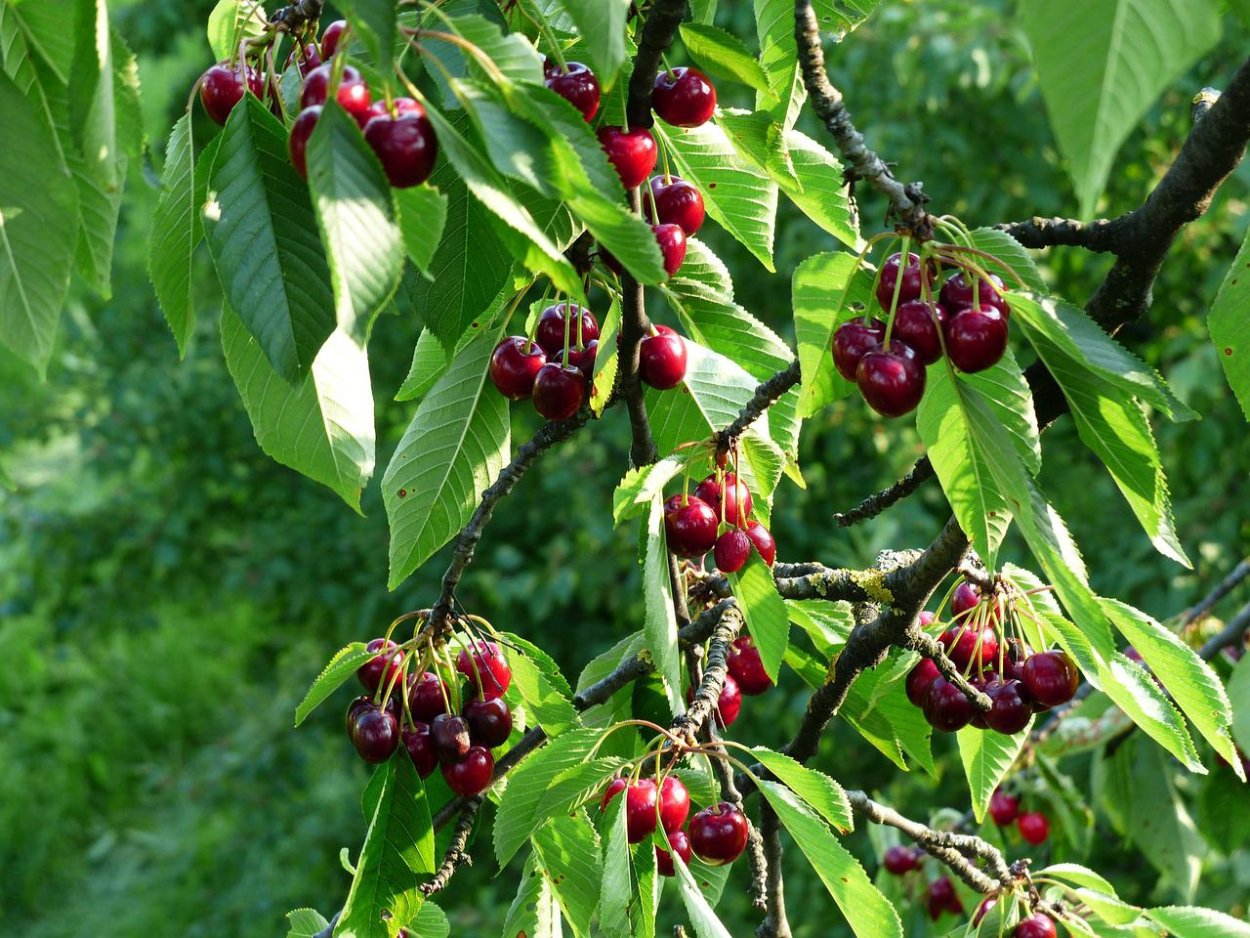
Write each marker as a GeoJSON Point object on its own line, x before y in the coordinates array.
{"type": "Point", "coordinates": [262, 231]}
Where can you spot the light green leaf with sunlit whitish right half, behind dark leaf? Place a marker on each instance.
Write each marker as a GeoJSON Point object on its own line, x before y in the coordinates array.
{"type": "Point", "coordinates": [323, 427]}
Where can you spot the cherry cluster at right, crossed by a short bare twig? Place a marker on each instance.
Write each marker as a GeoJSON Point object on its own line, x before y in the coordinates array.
{"type": "Point", "coordinates": [1018, 681]}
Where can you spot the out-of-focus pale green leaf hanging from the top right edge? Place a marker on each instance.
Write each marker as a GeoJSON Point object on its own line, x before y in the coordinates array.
{"type": "Point", "coordinates": [1102, 66]}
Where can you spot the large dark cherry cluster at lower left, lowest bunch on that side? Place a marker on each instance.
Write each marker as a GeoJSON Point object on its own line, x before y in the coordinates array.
{"type": "Point", "coordinates": [419, 712]}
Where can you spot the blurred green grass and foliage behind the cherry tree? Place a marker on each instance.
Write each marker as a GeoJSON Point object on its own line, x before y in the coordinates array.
{"type": "Point", "coordinates": [167, 592]}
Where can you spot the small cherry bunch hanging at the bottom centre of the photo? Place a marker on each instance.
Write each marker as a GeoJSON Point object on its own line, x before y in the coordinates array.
{"type": "Point", "coordinates": [716, 835]}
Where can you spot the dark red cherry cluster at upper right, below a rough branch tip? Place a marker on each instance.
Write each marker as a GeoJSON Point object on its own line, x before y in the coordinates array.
{"type": "Point", "coordinates": [887, 361]}
